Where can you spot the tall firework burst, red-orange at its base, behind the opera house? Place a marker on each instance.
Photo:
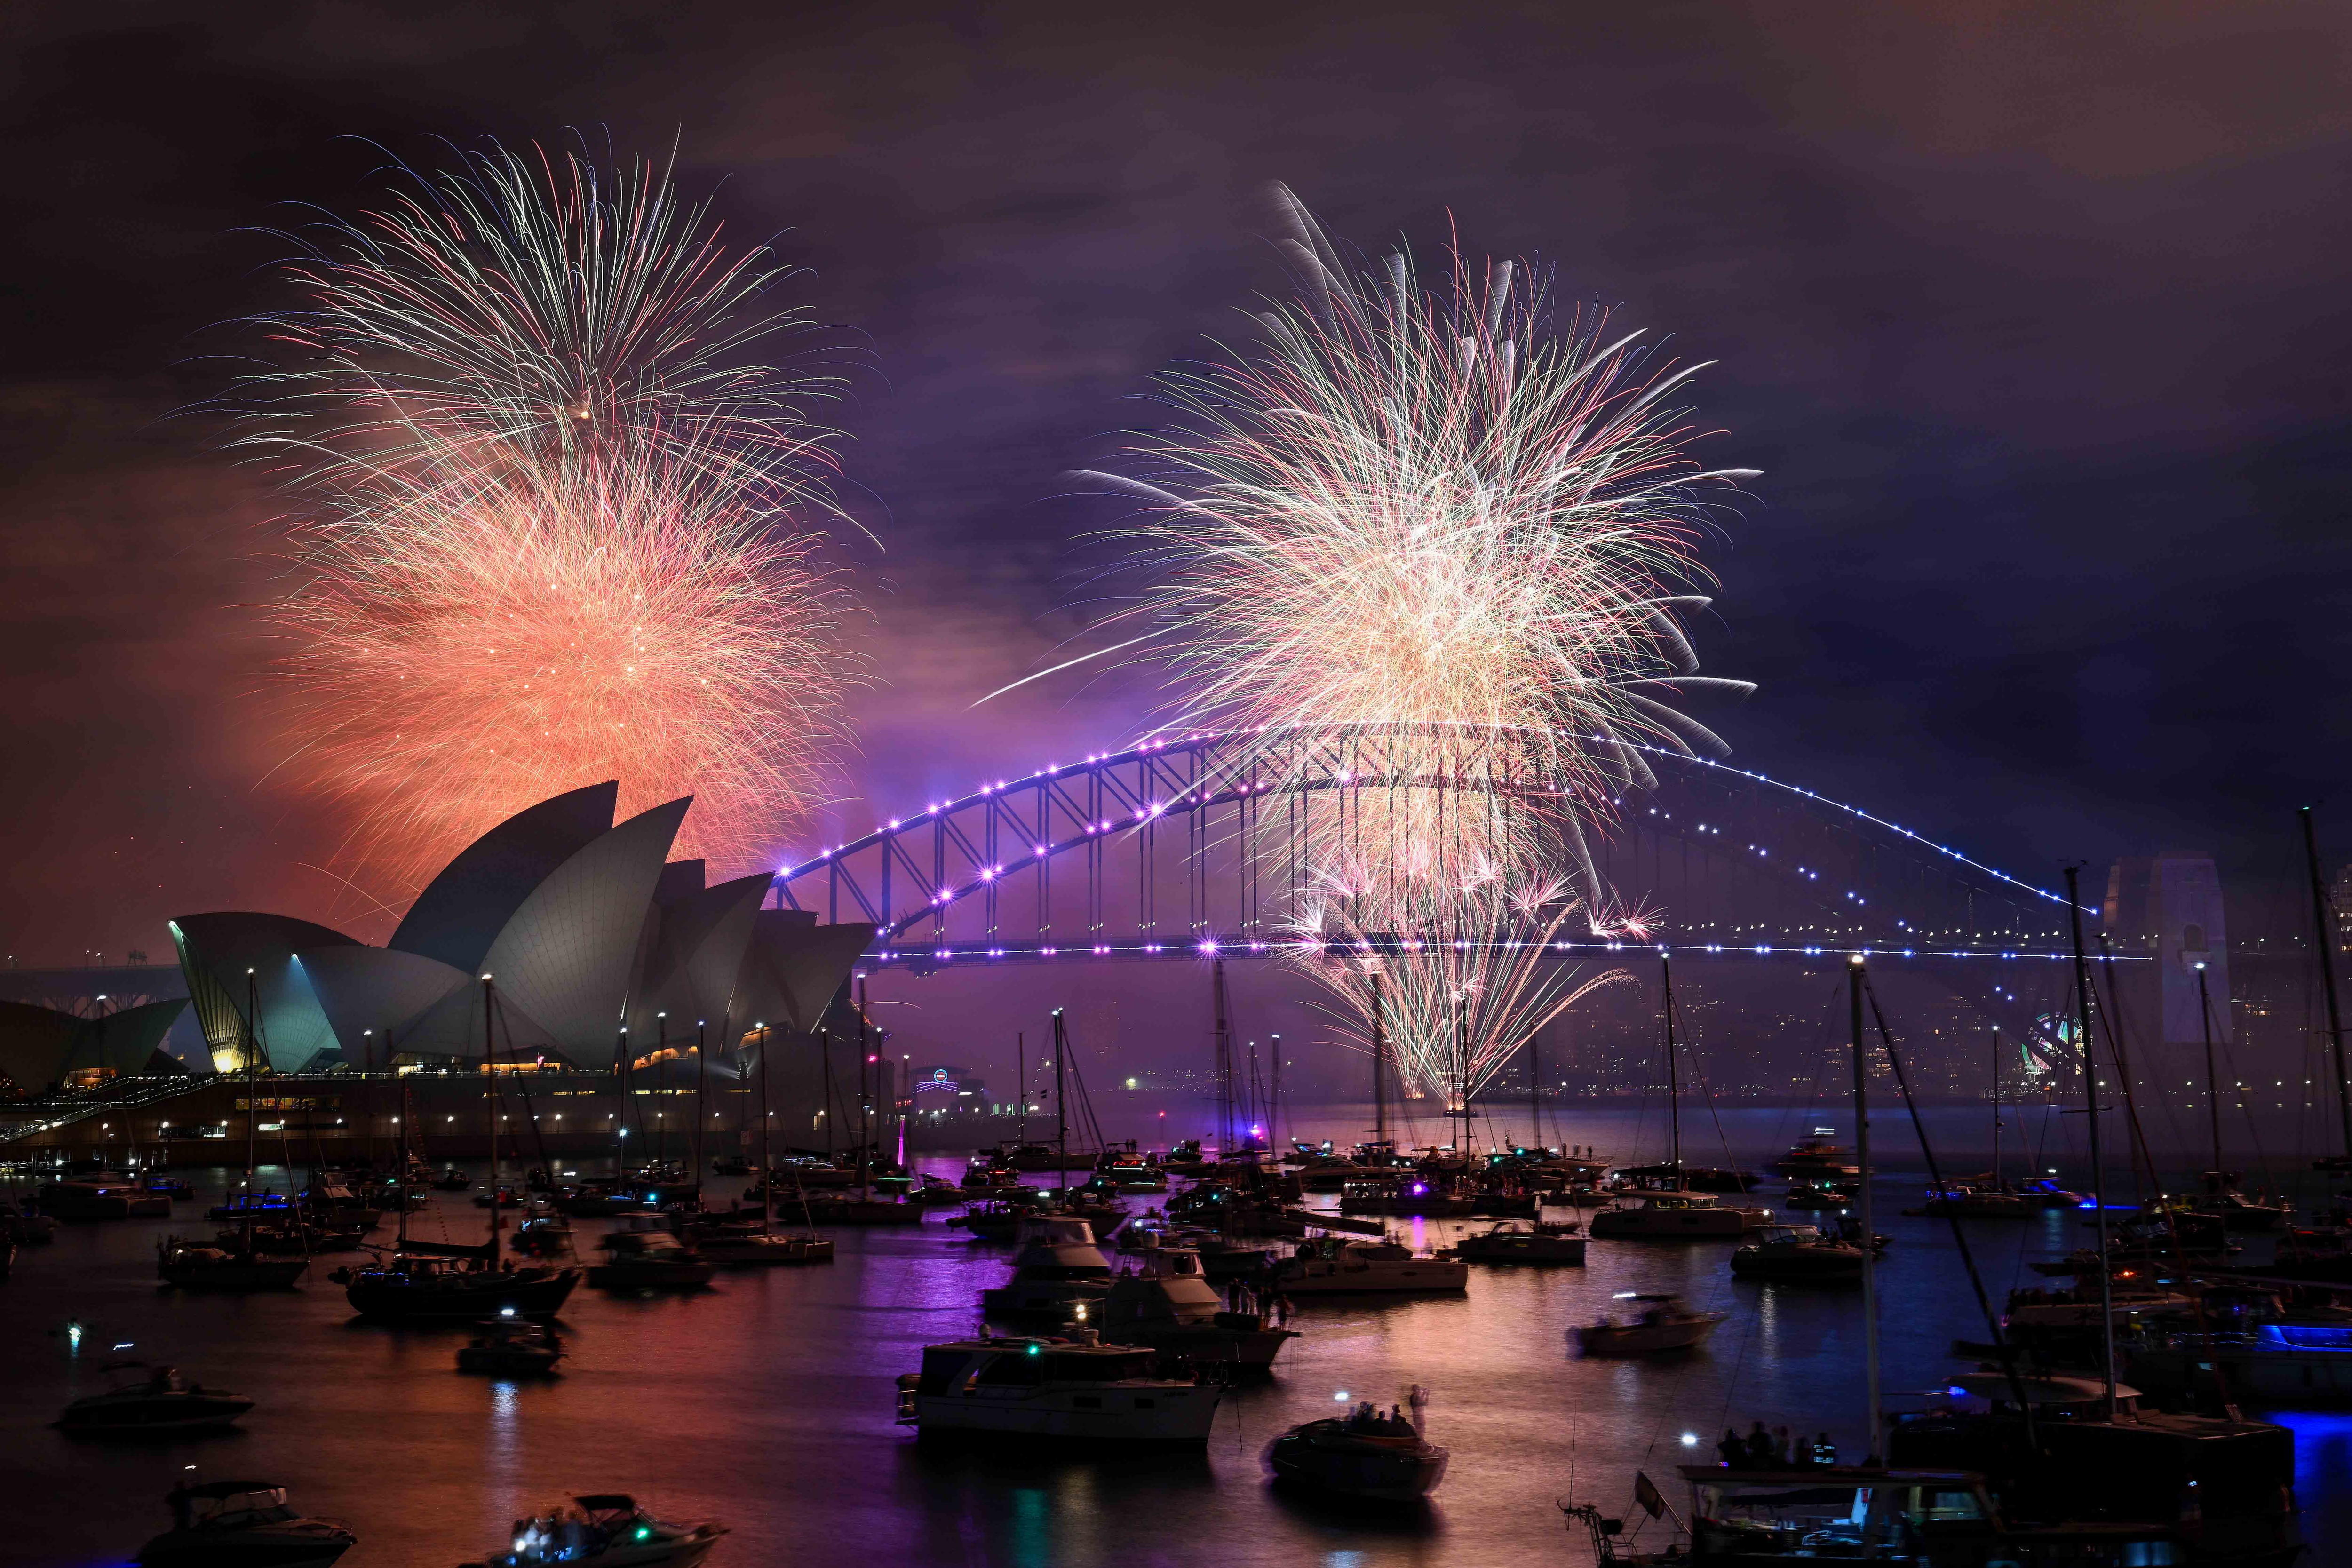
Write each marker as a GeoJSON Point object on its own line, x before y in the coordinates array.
{"type": "Point", "coordinates": [554, 521]}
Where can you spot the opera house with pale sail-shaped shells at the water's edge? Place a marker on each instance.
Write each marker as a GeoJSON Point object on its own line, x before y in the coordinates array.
{"type": "Point", "coordinates": [601, 946]}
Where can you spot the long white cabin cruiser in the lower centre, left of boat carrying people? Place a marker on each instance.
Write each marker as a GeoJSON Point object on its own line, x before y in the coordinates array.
{"type": "Point", "coordinates": [1076, 1391]}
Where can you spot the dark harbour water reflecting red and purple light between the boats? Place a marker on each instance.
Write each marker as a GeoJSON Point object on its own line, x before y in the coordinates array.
{"type": "Point", "coordinates": [768, 1402]}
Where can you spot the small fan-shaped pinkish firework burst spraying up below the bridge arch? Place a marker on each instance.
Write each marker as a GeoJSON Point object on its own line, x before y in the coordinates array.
{"type": "Point", "coordinates": [1464, 979]}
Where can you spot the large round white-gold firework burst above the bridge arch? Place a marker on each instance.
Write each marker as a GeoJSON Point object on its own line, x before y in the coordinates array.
{"type": "Point", "coordinates": [1424, 511]}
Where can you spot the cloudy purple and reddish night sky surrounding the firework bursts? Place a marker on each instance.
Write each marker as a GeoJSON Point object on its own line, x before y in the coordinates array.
{"type": "Point", "coordinates": [2033, 316]}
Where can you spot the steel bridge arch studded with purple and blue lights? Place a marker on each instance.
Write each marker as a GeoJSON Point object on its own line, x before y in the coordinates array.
{"type": "Point", "coordinates": [1194, 845]}
